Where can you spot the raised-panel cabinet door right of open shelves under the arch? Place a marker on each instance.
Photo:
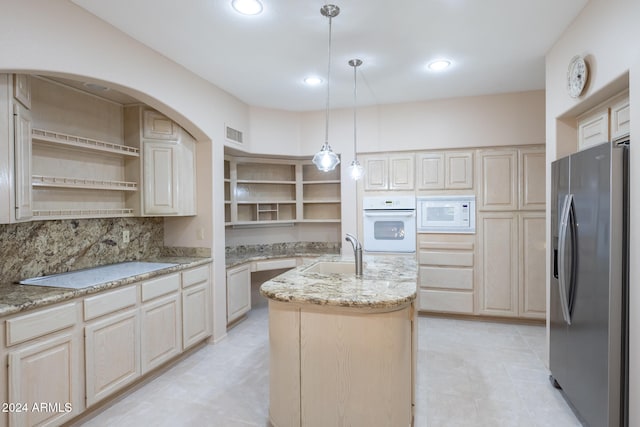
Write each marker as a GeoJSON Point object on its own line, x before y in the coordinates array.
{"type": "Point", "coordinates": [160, 178]}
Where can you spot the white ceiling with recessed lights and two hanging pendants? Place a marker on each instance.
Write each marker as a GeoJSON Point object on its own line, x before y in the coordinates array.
{"type": "Point", "coordinates": [496, 46]}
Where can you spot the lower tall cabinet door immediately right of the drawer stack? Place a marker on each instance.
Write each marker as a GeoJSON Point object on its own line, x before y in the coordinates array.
{"type": "Point", "coordinates": [498, 264]}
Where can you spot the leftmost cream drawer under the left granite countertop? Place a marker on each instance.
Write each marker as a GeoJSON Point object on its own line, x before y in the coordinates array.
{"type": "Point", "coordinates": [42, 322]}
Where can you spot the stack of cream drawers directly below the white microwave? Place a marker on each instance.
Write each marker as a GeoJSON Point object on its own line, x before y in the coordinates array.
{"type": "Point", "coordinates": [446, 273]}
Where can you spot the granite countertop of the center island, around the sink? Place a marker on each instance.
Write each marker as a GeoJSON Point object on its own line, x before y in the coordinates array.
{"type": "Point", "coordinates": [388, 282]}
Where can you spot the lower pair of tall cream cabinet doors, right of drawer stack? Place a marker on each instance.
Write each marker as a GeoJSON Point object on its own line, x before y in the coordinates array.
{"type": "Point", "coordinates": [511, 267]}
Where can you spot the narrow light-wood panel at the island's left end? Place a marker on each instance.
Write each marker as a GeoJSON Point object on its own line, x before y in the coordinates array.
{"type": "Point", "coordinates": [284, 364]}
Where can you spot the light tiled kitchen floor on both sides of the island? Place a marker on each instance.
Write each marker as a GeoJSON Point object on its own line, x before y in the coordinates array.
{"type": "Point", "coordinates": [469, 374]}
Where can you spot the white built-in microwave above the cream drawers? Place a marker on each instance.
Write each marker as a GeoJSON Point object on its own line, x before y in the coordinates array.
{"type": "Point", "coordinates": [447, 214]}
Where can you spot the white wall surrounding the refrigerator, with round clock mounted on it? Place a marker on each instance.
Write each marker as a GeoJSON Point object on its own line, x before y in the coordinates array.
{"type": "Point", "coordinates": [607, 33]}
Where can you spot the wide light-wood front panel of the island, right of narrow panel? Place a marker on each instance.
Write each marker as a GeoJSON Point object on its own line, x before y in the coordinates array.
{"type": "Point", "coordinates": [344, 357]}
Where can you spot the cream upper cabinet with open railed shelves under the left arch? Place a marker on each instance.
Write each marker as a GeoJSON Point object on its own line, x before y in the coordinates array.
{"type": "Point", "coordinates": [71, 154]}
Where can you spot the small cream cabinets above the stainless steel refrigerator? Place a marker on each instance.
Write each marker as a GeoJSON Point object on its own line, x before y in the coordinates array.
{"type": "Point", "coordinates": [609, 121]}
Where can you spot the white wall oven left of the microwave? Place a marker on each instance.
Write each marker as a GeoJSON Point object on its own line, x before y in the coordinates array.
{"type": "Point", "coordinates": [389, 223]}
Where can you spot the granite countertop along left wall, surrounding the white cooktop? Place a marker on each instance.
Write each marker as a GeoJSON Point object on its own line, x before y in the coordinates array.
{"type": "Point", "coordinates": [15, 298]}
